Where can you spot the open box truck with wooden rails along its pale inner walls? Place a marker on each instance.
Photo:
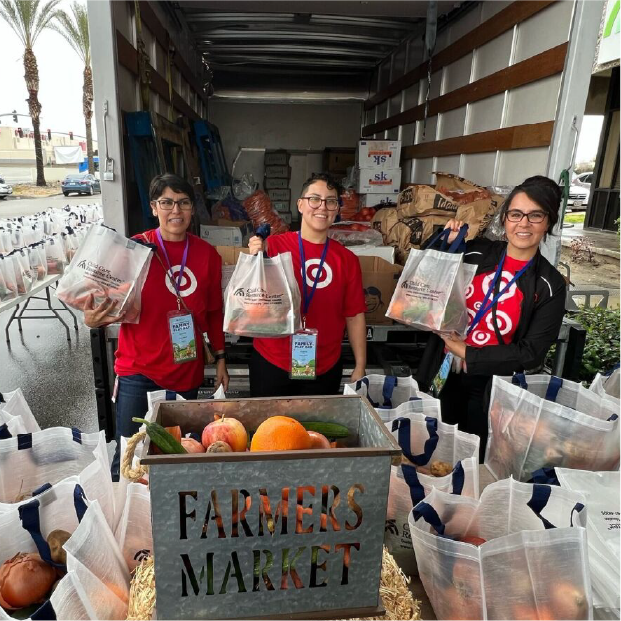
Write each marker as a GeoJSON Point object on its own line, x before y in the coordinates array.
{"type": "Point", "coordinates": [495, 93]}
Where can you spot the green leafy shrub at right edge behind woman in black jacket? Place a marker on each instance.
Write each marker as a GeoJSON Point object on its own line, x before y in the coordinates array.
{"type": "Point", "coordinates": [602, 349]}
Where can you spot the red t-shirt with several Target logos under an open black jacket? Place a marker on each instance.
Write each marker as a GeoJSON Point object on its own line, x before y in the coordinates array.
{"type": "Point", "coordinates": [508, 307]}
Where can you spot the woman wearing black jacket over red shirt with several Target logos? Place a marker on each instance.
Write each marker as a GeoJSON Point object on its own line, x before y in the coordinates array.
{"type": "Point", "coordinates": [516, 304]}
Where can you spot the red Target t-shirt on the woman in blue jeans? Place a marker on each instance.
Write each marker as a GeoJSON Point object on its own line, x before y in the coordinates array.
{"type": "Point", "coordinates": [145, 347]}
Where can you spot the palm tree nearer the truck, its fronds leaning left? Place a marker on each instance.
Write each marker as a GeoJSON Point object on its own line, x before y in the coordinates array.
{"type": "Point", "coordinates": [75, 30]}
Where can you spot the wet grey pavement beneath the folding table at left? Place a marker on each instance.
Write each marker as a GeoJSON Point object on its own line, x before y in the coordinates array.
{"type": "Point", "coordinates": [55, 375]}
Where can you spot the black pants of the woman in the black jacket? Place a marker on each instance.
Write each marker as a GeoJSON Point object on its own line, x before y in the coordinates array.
{"type": "Point", "coordinates": [465, 401]}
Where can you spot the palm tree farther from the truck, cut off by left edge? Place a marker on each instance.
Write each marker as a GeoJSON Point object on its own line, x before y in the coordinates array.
{"type": "Point", "coordinates": [28, 19]}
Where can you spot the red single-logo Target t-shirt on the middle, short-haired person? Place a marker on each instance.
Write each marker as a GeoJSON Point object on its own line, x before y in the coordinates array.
{"type": "Point", "coordinates": [339, 294]}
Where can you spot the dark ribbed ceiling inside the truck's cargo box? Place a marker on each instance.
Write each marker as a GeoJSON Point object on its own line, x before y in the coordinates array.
{"type": "Point", "coordinates": [305, 48]}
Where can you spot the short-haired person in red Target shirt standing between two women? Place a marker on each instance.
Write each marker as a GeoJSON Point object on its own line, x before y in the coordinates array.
{"type": "Point", "coordinates": [332, 300]}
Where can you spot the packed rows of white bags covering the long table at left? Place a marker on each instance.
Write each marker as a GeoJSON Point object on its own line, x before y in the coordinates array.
{"type": "Point", "coordinates": [41, 245]}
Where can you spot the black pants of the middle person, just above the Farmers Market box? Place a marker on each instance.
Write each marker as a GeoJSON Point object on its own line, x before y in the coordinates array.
{"type": "Point", "coordinates": [268, 380]}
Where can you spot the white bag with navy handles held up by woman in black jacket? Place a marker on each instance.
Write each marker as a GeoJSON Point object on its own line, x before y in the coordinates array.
{"type": "Point", "coordinates": [431, 292]}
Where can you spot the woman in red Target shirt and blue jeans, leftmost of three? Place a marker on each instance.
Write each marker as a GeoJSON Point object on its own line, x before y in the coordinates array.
{"type": "Point", "coordinates": [181, 300]}
